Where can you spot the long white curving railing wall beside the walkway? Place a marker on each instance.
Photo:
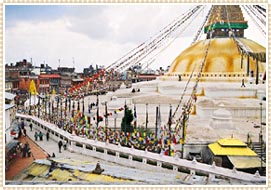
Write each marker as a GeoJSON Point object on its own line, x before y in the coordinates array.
{"type": "Point", "coordinates": [137, 158]}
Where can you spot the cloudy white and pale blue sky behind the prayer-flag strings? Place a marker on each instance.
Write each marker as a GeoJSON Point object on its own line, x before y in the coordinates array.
{"type": "Point", "coordinates": [91, 34]}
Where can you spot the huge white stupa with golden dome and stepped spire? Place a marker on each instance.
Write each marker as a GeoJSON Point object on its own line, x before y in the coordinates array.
{"type": "Point", "coordinates": [229, 77]}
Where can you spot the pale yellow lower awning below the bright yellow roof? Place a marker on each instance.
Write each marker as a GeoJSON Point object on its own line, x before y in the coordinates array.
{"type": "Point", "coordinates": [245, 162]}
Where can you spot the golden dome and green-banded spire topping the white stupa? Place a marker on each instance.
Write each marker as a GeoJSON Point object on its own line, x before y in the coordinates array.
{"type": "Point", "coordinates": [224, 61]}
